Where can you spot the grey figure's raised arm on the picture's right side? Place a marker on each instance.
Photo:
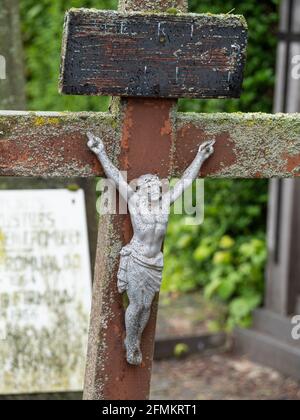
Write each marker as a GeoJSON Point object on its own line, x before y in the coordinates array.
{"type": "Point", "coordinates": [204, 152]}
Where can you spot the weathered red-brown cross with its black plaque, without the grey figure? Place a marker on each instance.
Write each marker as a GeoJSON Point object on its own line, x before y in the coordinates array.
{"type": "Point", "coordinates": [159, 58]}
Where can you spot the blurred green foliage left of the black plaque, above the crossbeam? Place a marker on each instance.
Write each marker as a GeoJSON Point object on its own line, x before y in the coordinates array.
{"type": "Point", "coordinates": [42, 26]}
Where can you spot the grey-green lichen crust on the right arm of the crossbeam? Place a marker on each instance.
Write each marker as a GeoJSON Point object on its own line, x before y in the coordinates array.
{"type": "Point", "coordinates": [262, 143]}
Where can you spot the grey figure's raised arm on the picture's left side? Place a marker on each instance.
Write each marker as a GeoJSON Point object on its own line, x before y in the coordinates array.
{"type": "Point", "coordinates": [96, 146]}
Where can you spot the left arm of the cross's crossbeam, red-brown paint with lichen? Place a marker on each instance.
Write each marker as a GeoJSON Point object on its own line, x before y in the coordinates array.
{"type": "Point", "coordinates": [52, 144]}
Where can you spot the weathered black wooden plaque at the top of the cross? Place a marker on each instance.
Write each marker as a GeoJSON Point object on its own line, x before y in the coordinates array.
{"type": "Point", "coordinates": [153, 55]}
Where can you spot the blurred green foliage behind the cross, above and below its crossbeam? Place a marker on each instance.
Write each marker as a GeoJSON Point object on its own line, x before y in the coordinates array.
{"type": "Point", "coordinates": [226, 255]}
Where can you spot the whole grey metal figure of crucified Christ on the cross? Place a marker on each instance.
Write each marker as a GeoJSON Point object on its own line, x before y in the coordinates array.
{"type": "Point", "coordinates": [141, 262]}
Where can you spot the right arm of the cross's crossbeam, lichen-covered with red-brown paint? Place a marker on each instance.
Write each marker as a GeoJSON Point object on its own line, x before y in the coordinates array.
{"type": "Point", "coordinates": [247, 145]}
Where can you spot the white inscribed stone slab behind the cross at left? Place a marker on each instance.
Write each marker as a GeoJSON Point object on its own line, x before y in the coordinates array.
{"type": "Point", "coordinates": [45, 291]}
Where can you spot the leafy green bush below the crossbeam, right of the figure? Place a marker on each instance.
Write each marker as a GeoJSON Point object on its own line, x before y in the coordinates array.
{"type": "Point", "coordinates": [226, 254]}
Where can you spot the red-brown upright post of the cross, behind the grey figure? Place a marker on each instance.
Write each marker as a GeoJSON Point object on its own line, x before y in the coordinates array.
{"type": "Point", "coordinates": [146, 144]}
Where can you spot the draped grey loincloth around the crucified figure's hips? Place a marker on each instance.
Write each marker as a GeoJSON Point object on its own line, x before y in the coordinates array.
{"type": "Point", "coordinates": [146, 273]}
